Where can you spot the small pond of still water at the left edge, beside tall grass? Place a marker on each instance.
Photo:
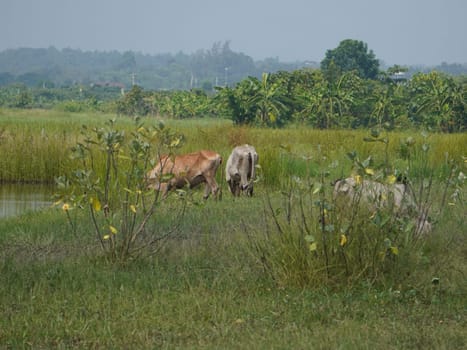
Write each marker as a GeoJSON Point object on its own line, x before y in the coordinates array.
{"type": "Point", "coordinates": [17, 199]}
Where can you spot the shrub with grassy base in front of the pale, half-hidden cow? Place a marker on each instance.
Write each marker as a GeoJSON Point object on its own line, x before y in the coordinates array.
{"type": "Point", "coordinates": [312, 240]}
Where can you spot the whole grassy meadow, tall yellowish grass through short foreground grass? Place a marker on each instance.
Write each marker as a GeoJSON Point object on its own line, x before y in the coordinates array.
{"type": "Point", "coordinates": [238, 272]}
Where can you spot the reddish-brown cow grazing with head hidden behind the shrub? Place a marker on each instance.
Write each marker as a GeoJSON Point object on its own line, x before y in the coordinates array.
{"type": "Point", "coordinates": [189, 169]}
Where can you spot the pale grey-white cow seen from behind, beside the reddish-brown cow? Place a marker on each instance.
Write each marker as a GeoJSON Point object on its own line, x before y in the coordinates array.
{"type": "Point", "coordinates": [240, 170]}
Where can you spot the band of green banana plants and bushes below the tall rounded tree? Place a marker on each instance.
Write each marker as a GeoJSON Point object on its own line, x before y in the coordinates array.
{"type": "Point", "coordinates": [434, 101]}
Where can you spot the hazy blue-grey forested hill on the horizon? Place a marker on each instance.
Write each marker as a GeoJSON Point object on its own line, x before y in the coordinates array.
{"type": "Point", "coordinates": [203, 69]}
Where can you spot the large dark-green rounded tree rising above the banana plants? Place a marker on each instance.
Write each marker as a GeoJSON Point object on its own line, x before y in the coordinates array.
{"type": "Point", "coordinates": [352, 55]}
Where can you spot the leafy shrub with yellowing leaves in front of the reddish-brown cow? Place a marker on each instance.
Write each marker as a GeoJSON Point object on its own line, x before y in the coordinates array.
{"type": "Point", "coordinates": [111, 185]}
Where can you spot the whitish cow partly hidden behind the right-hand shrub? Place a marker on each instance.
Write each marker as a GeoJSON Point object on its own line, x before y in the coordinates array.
{"type": "Point", "coordinates": [397, 197]}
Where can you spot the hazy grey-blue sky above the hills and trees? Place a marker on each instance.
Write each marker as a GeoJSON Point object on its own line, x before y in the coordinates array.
{"type": "Point", "coordinates": [398, 31]}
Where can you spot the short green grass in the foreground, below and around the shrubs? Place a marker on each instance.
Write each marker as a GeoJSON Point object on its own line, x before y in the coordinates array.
{"type": "Point", "coordinates": [206, 290]}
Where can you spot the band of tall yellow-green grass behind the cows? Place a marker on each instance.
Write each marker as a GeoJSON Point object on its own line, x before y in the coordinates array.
{"type": "Point", "coordinates": [34, 144]}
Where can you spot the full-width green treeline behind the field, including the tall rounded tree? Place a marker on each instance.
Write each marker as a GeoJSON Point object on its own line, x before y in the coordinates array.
{"type": "Point", "coordinates": [348, 90]}
